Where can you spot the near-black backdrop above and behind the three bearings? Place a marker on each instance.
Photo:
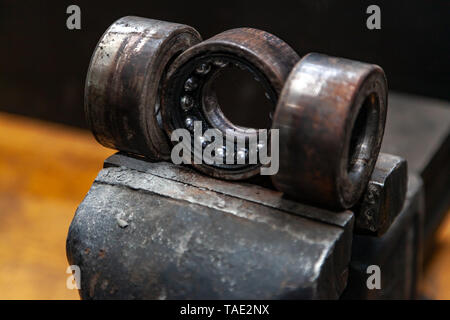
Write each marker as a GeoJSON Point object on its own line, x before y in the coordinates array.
{"type": "Point", "coordinates": [43, 64]}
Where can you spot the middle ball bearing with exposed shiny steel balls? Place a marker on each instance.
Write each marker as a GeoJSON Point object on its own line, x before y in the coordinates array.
{"type": "Point", "coordinates": [189, 93]}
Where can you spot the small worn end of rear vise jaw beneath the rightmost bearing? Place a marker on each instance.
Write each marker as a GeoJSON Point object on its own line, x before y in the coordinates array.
{"type": "Point", "coordinates": [384, 196]}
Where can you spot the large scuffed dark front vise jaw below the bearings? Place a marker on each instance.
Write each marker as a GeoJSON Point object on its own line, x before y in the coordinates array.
{"type": "Point", "coordinates": [140, 235]}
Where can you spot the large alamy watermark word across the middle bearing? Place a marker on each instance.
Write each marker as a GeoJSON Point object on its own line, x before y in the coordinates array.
{"type": "Point", "coordinates": [248, 146]}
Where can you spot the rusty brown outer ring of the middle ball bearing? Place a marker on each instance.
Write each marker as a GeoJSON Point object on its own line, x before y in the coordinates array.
{"type": "Point", "coordinates": [271, 56]}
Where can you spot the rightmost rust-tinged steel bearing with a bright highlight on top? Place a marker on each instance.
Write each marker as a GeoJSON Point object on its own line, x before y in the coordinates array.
{"type": "Point", "coordinates": [331, 116]}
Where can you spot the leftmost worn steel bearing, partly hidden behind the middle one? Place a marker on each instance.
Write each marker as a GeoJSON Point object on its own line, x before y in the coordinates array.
{"type": "Point", "coordinates": [122, 94]}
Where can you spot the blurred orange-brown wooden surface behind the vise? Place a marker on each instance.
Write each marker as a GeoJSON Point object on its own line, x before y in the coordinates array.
{"type": "Point", "coordinates": [45, 171]}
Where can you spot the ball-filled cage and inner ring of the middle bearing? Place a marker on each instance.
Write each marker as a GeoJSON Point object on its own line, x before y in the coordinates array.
{"type": "Point", "coordinates": [204, 105]}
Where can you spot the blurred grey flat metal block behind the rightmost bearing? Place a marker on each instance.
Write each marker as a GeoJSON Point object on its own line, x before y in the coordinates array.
{"type": "Point", "coordinates": [418, 129]}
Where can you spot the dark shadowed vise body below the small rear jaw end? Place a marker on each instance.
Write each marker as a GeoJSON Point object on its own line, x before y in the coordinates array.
{"type": "Point", "coordinates": [398, 253]}
